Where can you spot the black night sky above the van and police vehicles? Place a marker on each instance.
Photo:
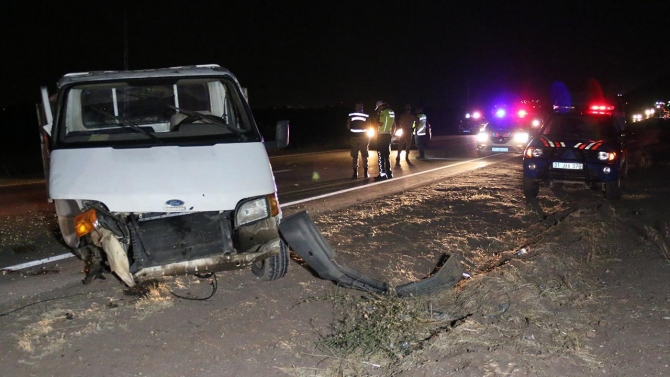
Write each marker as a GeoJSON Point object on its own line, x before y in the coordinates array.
{"type": "Point", "coordinates": [322, 53]}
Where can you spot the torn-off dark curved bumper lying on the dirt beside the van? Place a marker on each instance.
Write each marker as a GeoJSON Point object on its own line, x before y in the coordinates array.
{"type": "Point", "coordinates": [300, 232]}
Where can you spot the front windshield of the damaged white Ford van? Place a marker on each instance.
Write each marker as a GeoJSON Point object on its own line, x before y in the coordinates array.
{"type": "Point", "coordinates": [170, 111]}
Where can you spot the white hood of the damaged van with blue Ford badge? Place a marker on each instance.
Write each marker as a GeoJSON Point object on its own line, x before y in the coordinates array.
{"type": "Point", "coordinates": [164, 178]}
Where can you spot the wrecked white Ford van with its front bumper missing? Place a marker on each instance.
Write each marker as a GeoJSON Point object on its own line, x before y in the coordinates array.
{"type": "Point", "coordinates": [161, 172]}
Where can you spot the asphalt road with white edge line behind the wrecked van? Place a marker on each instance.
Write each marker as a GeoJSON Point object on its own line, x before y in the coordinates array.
{"type": "Point", "coordinates": [315, 182]}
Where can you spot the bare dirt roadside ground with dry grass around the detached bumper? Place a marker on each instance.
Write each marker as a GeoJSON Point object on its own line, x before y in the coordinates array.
{"type": "Point", "coordinates": [566, 285]}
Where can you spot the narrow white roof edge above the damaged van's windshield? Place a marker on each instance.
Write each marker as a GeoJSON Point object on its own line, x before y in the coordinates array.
{"type": "Point", "coordinates": [191, 70]}
